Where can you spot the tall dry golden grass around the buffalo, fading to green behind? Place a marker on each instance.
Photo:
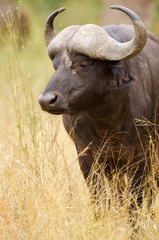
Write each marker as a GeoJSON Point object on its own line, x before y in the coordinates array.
{"type": "Point", "coordinates": [42, 191]}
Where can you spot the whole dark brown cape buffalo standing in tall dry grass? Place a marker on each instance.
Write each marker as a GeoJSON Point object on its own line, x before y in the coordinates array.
{"type": "Point", "coordinates": [105, 78]}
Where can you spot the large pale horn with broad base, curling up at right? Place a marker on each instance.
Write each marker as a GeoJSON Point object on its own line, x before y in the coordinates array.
{"type": "Point", "coordinates": [95, 42]}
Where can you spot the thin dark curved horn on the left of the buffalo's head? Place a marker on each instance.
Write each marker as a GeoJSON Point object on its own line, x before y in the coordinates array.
{"type": "Point", "coordinates": [49, 32]}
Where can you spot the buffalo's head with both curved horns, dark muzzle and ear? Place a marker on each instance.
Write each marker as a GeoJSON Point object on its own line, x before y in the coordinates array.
{"type": "Point", "coordinates": [87, 63]}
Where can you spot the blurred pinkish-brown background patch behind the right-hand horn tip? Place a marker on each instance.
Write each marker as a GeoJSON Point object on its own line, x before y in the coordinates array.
{"type": "Point", "coordinates": [145, 9]}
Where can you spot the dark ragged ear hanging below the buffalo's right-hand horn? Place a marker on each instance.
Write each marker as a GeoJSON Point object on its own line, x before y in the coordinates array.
{"type": "Point", "coordinates": [118, 77]}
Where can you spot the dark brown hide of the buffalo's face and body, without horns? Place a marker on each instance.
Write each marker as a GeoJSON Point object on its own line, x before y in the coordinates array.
{"type": "Point", "coordinates": [101, 101]}
